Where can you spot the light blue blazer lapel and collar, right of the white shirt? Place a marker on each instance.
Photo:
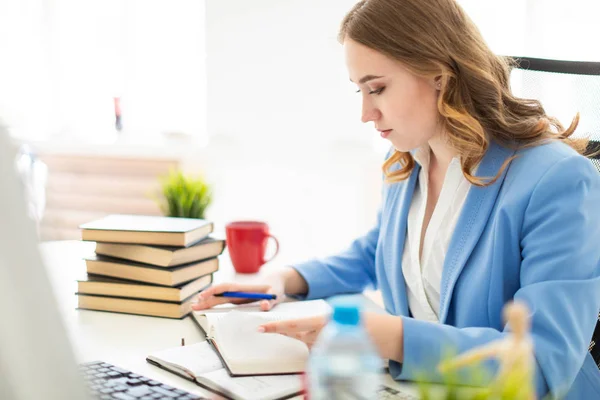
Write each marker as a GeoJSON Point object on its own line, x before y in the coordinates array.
{"type": "Point", "coordinates": [473, 219]}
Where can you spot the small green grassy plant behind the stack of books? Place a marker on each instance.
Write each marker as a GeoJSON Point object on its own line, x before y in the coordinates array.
{"type": "Point", "coordinates": [184, 195]}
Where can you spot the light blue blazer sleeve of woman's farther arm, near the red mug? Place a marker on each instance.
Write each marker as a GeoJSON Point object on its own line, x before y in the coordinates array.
{"type": "Point", "coordinates": [349, 272]}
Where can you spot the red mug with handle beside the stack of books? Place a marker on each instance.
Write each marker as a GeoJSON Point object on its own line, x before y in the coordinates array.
{"type": "Point", "coordinates": [247, 245]}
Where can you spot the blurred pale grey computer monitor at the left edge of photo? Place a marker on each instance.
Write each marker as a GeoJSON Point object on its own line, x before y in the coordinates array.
{"type": "Point", "coordinates": [36, 358]}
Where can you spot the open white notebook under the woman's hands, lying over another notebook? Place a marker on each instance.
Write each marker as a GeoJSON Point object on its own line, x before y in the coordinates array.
{"type": "Point", "coordinates": [232, 331]}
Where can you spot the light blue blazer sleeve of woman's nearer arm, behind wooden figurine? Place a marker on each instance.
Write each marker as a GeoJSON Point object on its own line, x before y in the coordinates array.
{"type": "Point", "coordinates": [559, 282]}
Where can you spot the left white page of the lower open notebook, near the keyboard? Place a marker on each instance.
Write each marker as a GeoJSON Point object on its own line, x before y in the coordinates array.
{"type": "Point", "coordinates": [198, 358]}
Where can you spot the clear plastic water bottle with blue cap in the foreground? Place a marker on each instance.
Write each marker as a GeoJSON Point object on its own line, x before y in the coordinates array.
{"type": "Point", "coordinates": [344, 363]}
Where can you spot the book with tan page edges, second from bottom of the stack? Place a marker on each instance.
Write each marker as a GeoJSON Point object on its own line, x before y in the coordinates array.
{"type": "Point", "coordinates": [107, 286]}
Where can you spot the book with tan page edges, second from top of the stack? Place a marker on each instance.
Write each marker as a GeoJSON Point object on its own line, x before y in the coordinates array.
{"type": "Point", "coordinates": [163, 256]}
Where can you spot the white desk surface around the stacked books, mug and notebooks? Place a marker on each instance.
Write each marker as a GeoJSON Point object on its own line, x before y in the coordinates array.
{"type": "Point", "coordinates": [121, 339]}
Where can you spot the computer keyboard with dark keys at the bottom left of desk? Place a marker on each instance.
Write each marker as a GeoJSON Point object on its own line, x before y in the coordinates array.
{"type": "Point", "coordinates": [108, 382]}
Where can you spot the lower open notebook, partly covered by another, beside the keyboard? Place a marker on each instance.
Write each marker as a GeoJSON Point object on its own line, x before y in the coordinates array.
{"type": "Point", "coordinates": [200, 364]}
